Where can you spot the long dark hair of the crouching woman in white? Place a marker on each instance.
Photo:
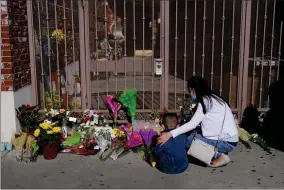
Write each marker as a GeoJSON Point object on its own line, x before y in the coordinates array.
{"type": "Point", "coordinates": [202, 90]}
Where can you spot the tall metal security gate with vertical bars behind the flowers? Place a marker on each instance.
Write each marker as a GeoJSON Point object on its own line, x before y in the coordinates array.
{"type": "Point", "coordinates": [86, 49]}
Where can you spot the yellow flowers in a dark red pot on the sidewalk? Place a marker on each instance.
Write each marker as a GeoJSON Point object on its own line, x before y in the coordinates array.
{"type": "Point", "coordinates": [48, 136]}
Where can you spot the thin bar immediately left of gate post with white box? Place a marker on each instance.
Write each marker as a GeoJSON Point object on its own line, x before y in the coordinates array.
{"type": "Point", "coordinates": [153, 52]}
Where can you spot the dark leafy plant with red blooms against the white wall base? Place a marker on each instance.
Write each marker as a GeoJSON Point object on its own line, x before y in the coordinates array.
{"type": "Point", "coordinates": [29, 118]}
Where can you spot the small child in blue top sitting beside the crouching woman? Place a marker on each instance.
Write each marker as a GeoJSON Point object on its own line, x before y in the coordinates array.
{"type": "Point", "coordinates": [171, 156]}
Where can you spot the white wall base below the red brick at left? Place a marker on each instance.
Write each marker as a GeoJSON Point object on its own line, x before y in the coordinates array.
{"type": "Point", "coordinates": [9, 101]}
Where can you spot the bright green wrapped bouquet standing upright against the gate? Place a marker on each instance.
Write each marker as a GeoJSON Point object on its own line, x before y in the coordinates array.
{"type": "Point", "coordinates": [129, 100]}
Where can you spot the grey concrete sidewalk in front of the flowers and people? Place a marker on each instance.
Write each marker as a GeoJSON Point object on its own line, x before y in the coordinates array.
{"type": "Point", "coordinates": [249, 169]}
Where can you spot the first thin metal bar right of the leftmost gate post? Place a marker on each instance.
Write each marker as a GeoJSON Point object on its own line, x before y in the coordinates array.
{"type": "Point", "coordinates": [41, 56]}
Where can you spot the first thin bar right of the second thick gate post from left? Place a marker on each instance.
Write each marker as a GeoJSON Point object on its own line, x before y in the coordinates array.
{"type": "Point", "coordinates": [97, 48]}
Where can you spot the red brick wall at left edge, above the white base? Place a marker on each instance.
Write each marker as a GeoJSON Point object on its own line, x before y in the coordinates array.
{"type": "Point", "coordinates": [14, 45]}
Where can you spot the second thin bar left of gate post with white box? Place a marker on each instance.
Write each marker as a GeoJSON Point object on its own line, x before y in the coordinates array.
{"type": "Point", "coordinates": [143, 48]}
